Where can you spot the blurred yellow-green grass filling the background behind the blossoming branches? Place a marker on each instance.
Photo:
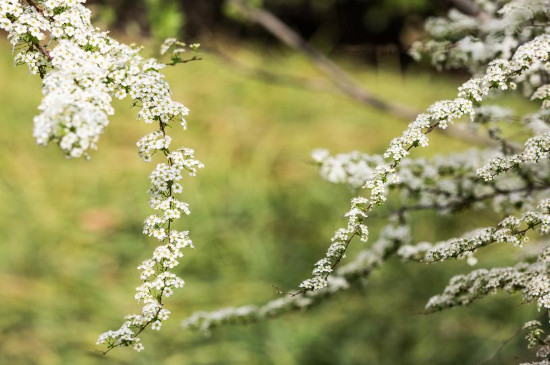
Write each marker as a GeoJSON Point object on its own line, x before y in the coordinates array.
{"type": "Point", "coordinates": [261, 216]}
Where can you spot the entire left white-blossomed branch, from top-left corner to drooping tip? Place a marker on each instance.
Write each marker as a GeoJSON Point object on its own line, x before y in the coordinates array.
{"type": "Point", "coordinates": [83, 69]}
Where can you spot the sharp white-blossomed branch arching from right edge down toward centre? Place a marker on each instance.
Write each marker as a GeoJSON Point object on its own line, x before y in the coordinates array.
{"type": "Point", "coordinates": [500, 75]}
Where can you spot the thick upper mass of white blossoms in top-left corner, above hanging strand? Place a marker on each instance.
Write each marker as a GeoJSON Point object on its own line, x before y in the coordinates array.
{"type": "Point", "coordinates": [82, 74]}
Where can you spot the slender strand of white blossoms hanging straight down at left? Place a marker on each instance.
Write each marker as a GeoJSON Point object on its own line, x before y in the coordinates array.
{"type": "Point", "coordinates": [158, 282]}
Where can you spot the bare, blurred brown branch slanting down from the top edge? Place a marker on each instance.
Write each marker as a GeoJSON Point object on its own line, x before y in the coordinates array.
{"type": "Point", "coordinates": [337, 76]}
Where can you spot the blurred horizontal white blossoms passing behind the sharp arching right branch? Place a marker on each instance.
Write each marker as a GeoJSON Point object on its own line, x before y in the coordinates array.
{"type": "Point", "coordinates": [445, 183]}
